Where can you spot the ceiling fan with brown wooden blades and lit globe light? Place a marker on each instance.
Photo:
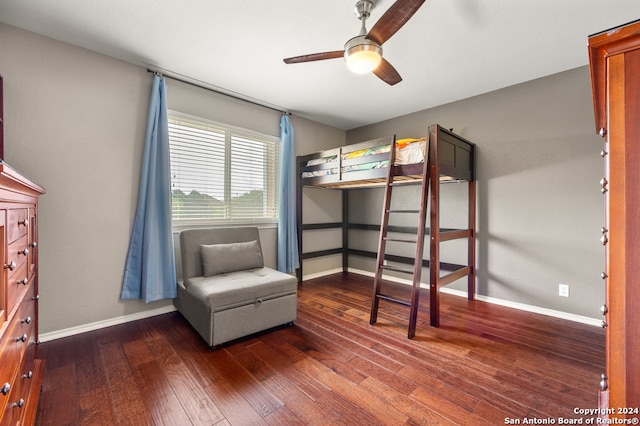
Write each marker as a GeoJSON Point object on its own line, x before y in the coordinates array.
{"type": "Point", "coordinates": [363, 53]}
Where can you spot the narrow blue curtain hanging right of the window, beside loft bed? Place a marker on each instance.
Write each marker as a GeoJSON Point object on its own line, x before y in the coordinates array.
{"type": "Point", "coordinates": [288, 260]}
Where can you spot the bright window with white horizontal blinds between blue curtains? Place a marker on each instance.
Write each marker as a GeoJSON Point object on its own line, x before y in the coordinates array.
{"type": "Point", "coordinates": [221, 174]}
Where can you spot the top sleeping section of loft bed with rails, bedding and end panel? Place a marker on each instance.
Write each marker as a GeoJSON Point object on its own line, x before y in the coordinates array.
{"type": "Point", "coordinates": [366, 163]}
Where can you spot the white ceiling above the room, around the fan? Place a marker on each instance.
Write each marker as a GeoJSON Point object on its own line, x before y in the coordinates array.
{"type": "Point", "coordinates": [449, 50]}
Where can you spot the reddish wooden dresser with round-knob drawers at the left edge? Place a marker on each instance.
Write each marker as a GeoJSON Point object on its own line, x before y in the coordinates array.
{"type": "Point", "coordinates": [20, 369]}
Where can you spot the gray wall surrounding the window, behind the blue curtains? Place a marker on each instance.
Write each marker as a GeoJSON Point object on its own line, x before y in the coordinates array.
{"type": "Point", "coordinates": [75, 123]}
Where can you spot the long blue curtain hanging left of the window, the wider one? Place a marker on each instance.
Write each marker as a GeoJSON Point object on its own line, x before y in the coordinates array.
{"type": "Point", "coordinates": [150, 271]}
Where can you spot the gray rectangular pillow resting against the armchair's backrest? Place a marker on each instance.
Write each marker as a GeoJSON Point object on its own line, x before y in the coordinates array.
{"type": "Point", "coordinates": [222, 258]}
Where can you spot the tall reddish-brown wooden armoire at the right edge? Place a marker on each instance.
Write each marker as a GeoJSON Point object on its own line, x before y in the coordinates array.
{"type": "Point", "coordinates": [615, 76]}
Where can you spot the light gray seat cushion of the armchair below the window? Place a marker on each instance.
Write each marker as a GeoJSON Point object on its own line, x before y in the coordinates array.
{"type": "Point", "coordinates": [239, 288]}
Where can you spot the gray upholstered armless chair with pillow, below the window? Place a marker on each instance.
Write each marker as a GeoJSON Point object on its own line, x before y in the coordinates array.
{"type": "Point", "coordinates": [226, 292]}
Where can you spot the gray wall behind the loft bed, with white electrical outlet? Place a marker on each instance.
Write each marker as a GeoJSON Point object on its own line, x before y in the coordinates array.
{"type": "Point", "coordinates": [539, 205]}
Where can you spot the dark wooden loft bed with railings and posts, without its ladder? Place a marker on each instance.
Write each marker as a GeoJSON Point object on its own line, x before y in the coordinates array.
{"type": "Point", "coordinates": [452, 159]}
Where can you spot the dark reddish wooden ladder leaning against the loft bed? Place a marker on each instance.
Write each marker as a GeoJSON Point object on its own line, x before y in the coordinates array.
{"type": "Point", "coordinates": [418, 241]}
